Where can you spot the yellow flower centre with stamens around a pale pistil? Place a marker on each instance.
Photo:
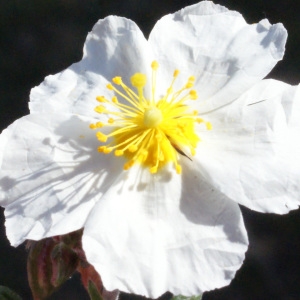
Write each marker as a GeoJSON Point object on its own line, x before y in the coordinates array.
{"type": "Point", "coordinates": [149, 131]}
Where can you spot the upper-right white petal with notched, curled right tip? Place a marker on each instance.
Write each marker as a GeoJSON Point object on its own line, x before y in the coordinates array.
{"type": "Point", "coordinates": [225, 54]}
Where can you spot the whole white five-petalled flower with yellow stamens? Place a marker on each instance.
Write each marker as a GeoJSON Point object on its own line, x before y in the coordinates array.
{"type": "Point", "coordinates": [151, 145]}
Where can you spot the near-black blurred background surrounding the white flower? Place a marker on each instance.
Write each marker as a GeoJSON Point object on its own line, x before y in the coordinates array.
{"type": "Point", "coordinates": [42, 37]}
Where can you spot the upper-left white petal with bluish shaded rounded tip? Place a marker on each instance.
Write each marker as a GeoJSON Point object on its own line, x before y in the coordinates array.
{"type": "Point", "coordinates": [115, 47]}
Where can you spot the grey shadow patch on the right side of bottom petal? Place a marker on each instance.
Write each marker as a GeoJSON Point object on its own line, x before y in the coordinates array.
{"type": "Point", "coordinates": [202, 204]}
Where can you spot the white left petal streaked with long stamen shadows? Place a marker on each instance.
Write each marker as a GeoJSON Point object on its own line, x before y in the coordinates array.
{"type": "Point", "coordinates": [51, 175]}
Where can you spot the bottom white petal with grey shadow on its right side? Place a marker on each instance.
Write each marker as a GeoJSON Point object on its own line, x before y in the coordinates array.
{"type": "Point", "coordinates": [165, 232]}
